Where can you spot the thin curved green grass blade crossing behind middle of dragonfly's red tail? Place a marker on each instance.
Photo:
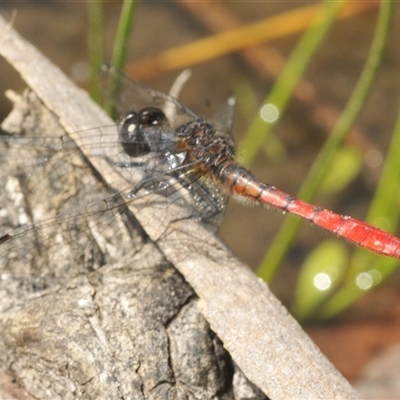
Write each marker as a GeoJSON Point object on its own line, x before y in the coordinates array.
{"type": "Point", "coordinates": [313, 181]}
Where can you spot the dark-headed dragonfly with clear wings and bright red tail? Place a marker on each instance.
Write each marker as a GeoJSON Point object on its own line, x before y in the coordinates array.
{"type": "Point", "coordinates": [163, 150]}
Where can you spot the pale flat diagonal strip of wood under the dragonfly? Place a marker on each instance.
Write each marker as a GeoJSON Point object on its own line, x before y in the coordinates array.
{"type": "Point", "coordinates": [262, 337]}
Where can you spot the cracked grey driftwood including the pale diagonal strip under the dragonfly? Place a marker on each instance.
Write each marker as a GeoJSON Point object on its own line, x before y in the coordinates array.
{"type": "Point", "coordinates": [115, 326]}
